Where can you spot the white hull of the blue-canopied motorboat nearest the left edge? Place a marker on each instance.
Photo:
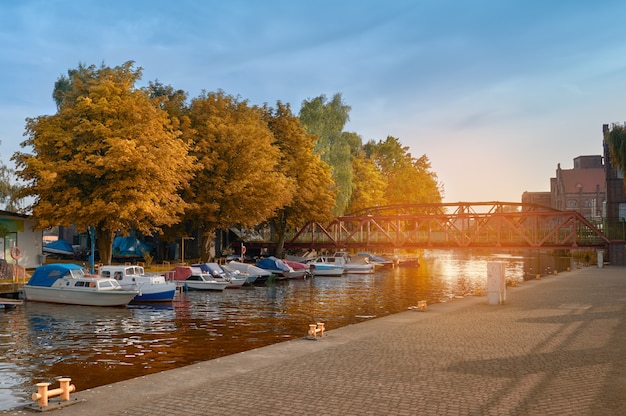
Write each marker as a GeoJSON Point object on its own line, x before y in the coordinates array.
{"type": "Point", "coordinates": [78, 297]}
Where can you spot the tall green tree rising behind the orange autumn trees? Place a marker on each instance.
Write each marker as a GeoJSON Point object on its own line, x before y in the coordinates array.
{"type": "Point", "coordinates": [327, 119]}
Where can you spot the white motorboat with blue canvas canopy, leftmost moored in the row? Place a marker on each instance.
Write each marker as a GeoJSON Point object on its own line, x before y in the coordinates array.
{"type": "Point", "coordinates": [70, 284]}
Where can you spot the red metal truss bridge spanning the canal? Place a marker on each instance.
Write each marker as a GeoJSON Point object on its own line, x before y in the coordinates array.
{"type": "Point", "coordinates": [453, 225]}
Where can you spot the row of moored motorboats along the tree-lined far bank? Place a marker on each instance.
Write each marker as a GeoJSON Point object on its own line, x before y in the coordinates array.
{"type": "Point", "coordinates": [117, 285]}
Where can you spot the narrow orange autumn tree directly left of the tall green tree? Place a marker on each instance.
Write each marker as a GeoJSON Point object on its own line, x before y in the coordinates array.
{"type": "Point", "coordinates": [314, 195]}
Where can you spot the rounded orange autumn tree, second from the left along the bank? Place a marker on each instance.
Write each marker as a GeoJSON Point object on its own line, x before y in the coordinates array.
{"type": "Point", "coordinates": [240, 182]}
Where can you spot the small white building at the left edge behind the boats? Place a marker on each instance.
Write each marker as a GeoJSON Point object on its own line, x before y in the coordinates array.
{"type": "Point", "coordinates": [22, 243]}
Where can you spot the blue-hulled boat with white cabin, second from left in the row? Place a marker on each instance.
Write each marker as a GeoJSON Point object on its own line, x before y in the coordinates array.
{"type": "Point", "coordinates": [152, 287]}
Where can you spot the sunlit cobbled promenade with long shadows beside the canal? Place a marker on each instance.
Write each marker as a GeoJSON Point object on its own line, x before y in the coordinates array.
{"type": "Point", "coordinates": [556, 347]}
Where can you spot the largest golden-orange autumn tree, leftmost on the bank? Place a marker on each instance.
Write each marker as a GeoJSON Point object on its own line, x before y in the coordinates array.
{"type": "Point", "coordinates": [109, 158]}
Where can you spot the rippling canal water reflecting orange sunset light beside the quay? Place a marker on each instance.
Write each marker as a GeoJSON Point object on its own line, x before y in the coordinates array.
{"type": "Point", "coordinates": [95, 346]}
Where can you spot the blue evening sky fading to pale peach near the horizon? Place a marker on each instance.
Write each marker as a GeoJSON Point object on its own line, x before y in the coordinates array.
{"type": "Point", "coordinates": [495, 93]}
